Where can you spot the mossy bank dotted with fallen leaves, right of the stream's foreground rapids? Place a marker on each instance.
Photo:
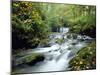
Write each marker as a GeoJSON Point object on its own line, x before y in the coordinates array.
{"type": "Point", "coordinates": [85, 59]}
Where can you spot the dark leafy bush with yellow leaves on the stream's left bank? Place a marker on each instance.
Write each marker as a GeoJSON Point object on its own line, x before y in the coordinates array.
{"type": "Point", "coordinates": [28, 28]}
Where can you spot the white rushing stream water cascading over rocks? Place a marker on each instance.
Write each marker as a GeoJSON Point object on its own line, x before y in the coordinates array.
{"type": "Point", "coordinates": [57, 56]}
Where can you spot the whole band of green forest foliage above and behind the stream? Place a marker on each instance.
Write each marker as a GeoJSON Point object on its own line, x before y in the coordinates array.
{"type": "Point", "coordinates": [31, 22]}
